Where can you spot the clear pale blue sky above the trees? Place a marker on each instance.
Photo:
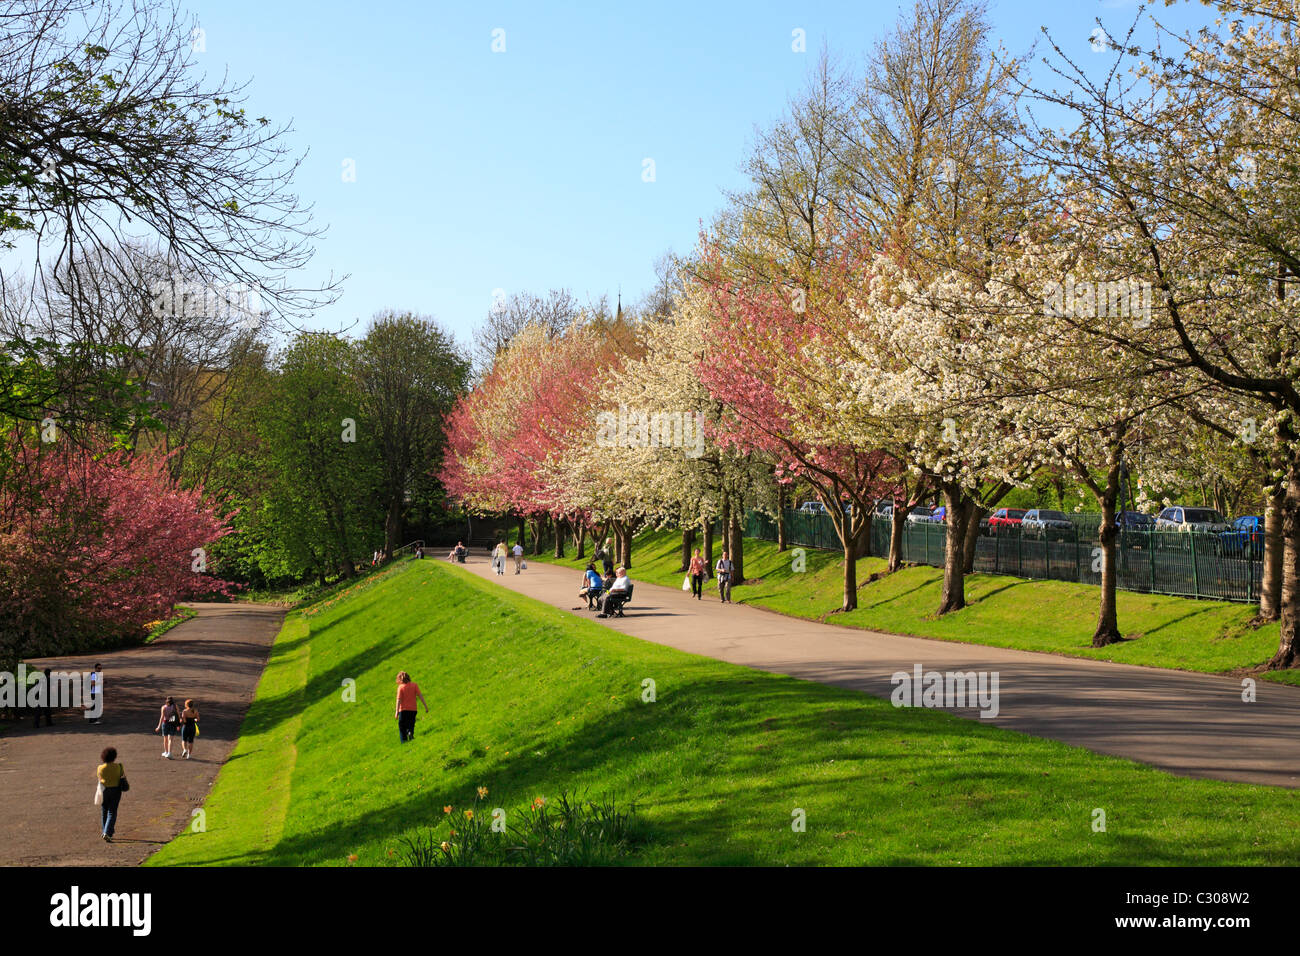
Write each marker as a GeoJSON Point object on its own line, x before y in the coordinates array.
{"type": "Point", "coordinates": [523, 170]}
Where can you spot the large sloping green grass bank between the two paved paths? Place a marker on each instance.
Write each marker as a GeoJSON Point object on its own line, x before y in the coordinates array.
{"type": "Point", "coordinates": [528, 702]}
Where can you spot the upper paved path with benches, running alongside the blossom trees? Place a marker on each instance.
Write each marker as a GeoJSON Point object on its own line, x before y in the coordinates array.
{"type": "Point", "coordinates": [1194, 725]}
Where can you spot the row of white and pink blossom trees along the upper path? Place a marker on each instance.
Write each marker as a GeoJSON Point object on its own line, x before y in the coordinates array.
{"type": "Point", "coordinates": [930, 293]}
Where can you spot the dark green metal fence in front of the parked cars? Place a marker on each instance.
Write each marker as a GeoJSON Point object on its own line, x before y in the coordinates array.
{"type": "Point", "coordinates": [1227, 568]}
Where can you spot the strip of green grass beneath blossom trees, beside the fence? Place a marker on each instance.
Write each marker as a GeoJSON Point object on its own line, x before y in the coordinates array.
{"type": "Point", "coordinates": [1058, 617]}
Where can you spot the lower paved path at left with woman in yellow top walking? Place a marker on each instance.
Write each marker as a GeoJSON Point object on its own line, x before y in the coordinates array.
{"type": "Point", "coordinates": [47, 777]}
